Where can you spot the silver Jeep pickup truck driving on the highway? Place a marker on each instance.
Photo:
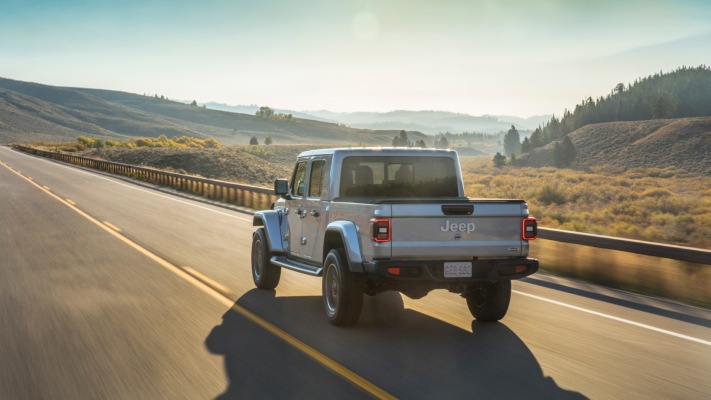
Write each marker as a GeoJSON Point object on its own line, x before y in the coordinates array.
{"type": "Point", "coordinates": [375, 219]}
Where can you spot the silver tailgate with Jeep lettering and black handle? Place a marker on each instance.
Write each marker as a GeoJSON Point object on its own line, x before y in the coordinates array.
{"type": "Point", "coordinates": [448, 231]}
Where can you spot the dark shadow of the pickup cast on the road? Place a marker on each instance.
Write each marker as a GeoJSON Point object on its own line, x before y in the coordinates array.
{"type": "Point", "coordinates": [404, 352]}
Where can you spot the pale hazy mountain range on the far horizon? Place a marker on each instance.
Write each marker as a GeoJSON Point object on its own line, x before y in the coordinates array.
{"type": "Point", "coordinates": [431, 122]}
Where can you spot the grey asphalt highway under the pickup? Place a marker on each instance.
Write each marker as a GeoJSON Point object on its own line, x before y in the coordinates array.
{"type": "Point", "coordinates": [111, 288]}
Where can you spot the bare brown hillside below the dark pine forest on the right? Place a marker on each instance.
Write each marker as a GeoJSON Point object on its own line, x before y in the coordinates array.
{"type": "Point", "coordinates": [683, 143]}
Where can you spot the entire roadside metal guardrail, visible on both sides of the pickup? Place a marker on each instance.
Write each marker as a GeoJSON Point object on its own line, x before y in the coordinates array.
{"type": "Point", "coordinates": [261, 198]}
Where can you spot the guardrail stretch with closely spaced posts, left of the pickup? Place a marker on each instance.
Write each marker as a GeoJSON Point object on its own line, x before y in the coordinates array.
{"type": "Point", "coordinates": [242, 195]}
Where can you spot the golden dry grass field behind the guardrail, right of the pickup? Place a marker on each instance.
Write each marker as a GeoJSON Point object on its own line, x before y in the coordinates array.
{"type": "Point", "coordinates": [666, 205]}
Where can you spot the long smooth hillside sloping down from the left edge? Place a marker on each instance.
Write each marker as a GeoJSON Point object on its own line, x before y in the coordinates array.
{"type": "Point", "coordinates": [31, 111]}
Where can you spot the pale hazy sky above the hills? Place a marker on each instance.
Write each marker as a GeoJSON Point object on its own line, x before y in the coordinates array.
{"type": "Point", "coordinates": [515, 57]}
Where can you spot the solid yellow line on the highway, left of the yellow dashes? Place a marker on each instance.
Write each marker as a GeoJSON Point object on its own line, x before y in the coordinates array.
{"type": "Point", "coordinates": [319, 357]}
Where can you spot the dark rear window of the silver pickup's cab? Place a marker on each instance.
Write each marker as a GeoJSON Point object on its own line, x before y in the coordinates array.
{"type": "Point", "coordinates": [398, 177]}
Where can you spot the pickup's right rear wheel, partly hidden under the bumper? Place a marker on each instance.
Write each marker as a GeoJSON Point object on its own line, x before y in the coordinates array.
{"type": "Point", "coordinates": [490, 301]}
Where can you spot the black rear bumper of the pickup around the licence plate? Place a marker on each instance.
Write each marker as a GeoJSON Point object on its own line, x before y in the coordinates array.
{"type": "Point", "coordinates": [433, 271]}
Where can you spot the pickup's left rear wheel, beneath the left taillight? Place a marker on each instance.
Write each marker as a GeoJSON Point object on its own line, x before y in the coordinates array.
{"type": "Point", "coordinates": [342, 290]}
